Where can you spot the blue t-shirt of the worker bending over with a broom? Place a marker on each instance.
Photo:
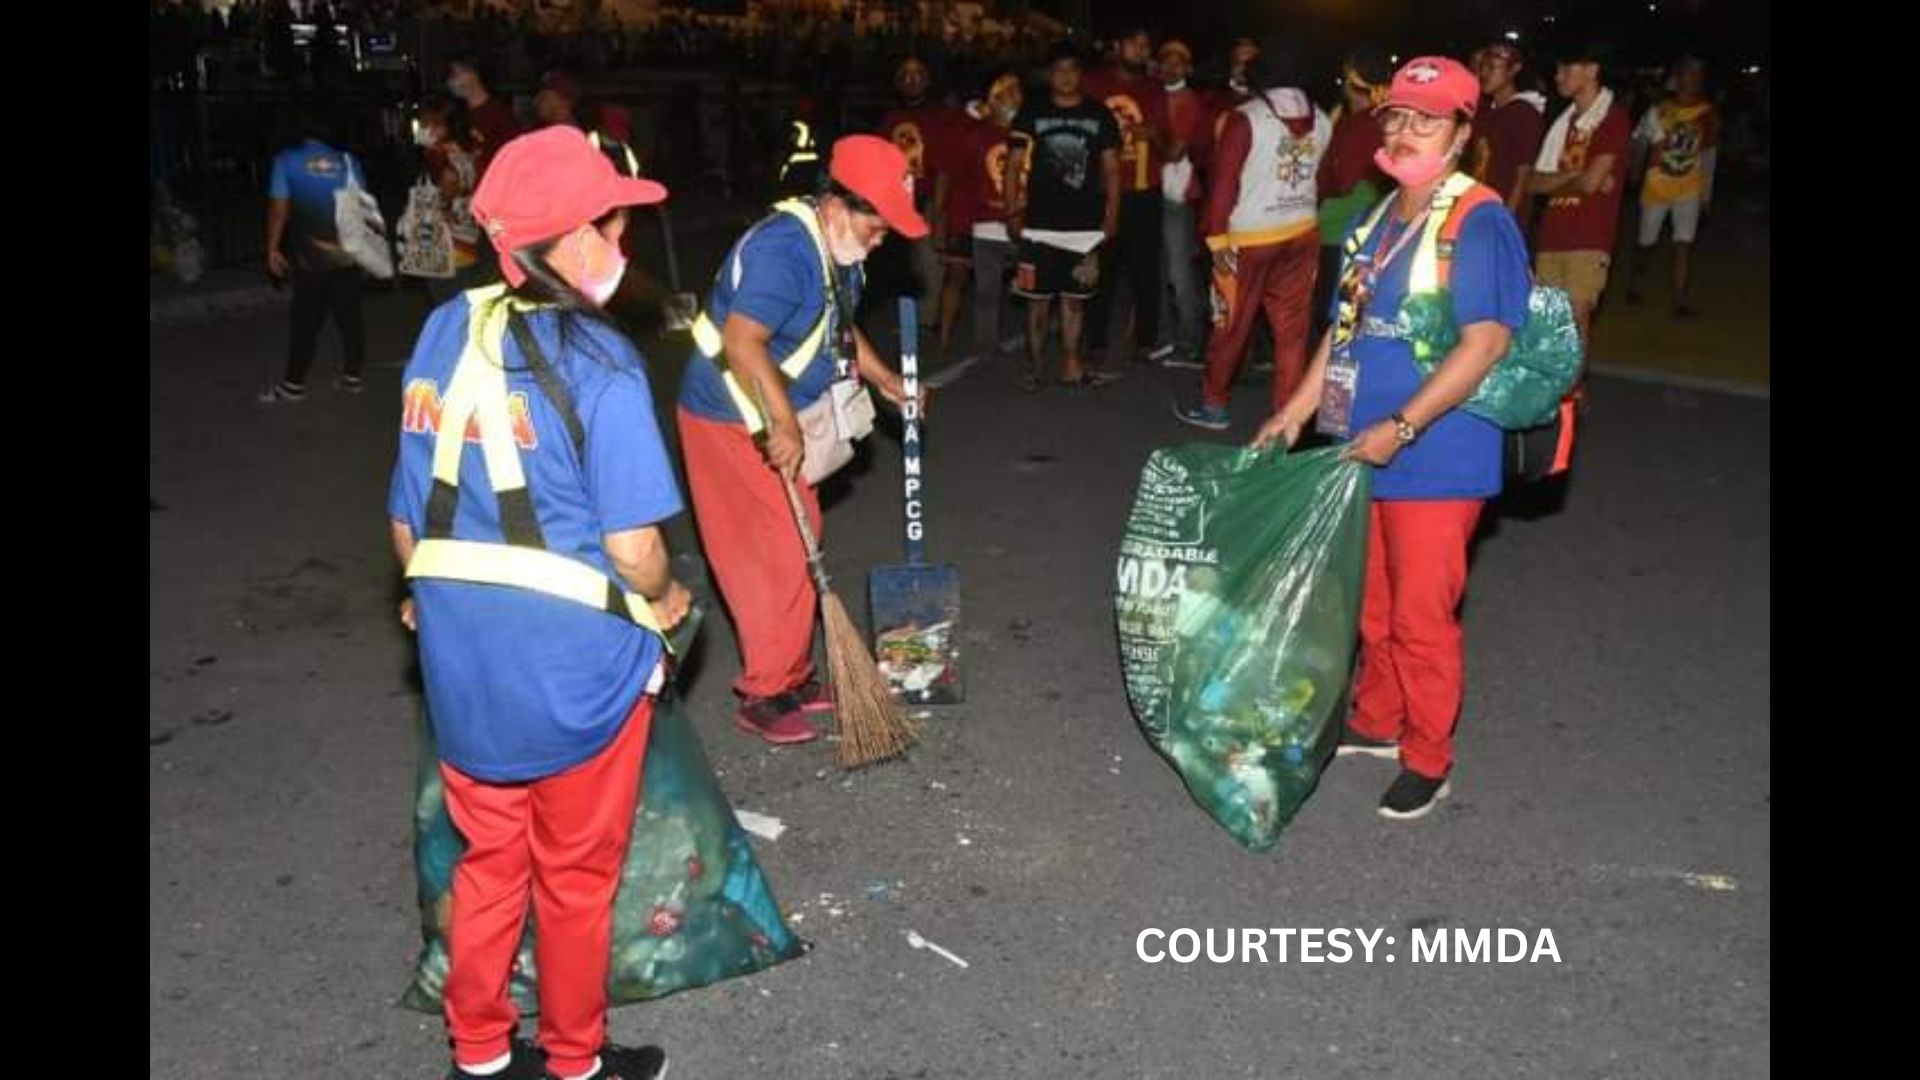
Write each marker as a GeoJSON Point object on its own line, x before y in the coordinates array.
{"type": "Point", "coordinates": [773, 276]}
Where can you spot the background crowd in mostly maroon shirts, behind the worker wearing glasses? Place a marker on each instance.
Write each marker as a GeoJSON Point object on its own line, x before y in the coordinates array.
{"type": "Point", "coordinates": [1220, 209]}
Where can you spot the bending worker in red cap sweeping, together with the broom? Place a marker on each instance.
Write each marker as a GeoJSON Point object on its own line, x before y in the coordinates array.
{"type": "Point", "coordinates": [771, 405]}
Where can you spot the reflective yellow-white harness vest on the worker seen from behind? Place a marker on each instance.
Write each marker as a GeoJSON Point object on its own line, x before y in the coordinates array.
{"type": "Point", "coordinates": [479, 395]}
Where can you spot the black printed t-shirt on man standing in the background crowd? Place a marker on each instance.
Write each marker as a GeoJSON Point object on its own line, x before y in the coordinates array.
{"type": "Point", "coordinates": [1067, 185]}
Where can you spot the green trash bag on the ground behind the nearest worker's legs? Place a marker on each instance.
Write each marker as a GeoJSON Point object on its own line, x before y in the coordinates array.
{"type": "Point", "coordinates": [692, 910]}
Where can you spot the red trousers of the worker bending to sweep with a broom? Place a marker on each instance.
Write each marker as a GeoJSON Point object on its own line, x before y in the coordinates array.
{"type": "Point", "coordinates": [756, 552]}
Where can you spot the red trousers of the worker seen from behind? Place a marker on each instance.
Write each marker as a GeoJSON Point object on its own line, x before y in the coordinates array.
{"type": "Point", "coordinates": [564, 843]}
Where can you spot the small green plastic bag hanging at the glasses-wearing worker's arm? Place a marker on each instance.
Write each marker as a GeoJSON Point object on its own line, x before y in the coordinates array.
{"type": "Point", "coordinates": [1529, 381]}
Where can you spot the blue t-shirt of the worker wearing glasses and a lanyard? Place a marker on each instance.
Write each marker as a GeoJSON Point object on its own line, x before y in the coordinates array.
{"type": "Point", "coordinates": [1458, 456]}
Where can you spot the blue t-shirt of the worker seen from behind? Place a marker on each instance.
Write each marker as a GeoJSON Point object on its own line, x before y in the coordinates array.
{"type": "Point", "coordinates": [523, 685]}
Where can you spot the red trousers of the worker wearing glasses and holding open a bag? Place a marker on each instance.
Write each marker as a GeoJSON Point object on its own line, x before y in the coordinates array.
{"type": "Point", "coordinates": [1412, 656]}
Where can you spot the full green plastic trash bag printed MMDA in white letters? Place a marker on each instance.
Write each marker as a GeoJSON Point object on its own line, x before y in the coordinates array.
{"type": "Point", "coordinates": [1237, 606]}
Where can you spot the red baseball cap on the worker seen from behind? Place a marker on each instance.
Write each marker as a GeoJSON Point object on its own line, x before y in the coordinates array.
{"type": "Point", "coordinates": [546, 185]}
